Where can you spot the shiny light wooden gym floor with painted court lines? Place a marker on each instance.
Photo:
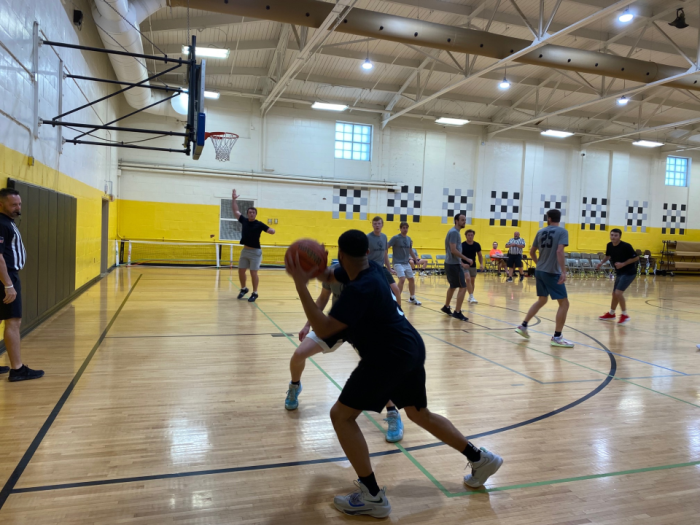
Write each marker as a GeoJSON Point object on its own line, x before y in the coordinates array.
{"type": "Point", "coordinates": [163, 403]}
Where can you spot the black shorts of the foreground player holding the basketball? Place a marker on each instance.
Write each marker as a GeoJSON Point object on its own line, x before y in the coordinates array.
{"type": "Point", "coordinates": [371, 387]}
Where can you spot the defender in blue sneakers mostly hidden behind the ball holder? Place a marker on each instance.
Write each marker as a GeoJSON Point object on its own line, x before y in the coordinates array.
{"type": "Point", "coordinates": [311, 345]}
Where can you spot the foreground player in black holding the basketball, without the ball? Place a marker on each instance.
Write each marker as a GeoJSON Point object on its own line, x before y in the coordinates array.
{"type": "Point", "coordinates": [391, 367]}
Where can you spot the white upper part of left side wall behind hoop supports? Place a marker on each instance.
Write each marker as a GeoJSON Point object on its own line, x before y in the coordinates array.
{"type": "Point", "coordinates": [92, 165]}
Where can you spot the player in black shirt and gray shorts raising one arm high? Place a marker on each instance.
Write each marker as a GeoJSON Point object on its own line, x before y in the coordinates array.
{"type": "Point", "coordinates": [251, 254]}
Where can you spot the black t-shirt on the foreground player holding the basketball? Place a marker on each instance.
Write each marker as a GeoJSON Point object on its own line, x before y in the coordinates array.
{"type": "Point", "coordinates": [376, 325]}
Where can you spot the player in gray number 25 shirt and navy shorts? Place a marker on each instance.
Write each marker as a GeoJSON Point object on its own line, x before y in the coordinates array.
{"type": "Point", "coordinates": [550, 276]}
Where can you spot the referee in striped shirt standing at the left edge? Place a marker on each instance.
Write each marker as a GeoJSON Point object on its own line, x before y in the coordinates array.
{"type": "Point", "coordinates": [12, 261]}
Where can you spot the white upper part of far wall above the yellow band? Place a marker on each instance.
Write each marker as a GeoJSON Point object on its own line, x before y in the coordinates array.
{"type": "Point", "coordinates": [299, 142]}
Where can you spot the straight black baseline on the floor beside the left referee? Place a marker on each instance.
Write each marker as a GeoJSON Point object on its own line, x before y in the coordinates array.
{"type": "Point", "coordinates": [12, 481]}
